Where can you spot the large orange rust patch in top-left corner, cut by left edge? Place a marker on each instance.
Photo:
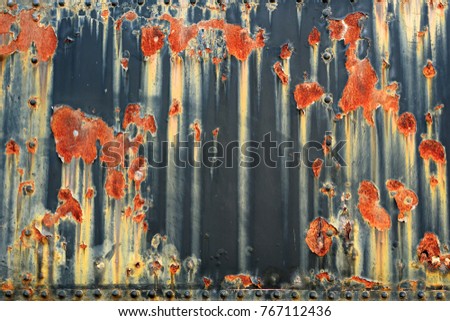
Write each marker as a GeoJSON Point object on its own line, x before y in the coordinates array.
{"type": "Point", "coordinates": [31, 32]}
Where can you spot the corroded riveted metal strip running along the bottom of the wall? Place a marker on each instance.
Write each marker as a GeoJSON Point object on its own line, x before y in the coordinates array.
{"type": "Point", "coordinates": [131, 294]}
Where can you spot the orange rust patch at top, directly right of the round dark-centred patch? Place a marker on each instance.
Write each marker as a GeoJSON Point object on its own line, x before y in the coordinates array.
{"type": "Point", "coordinates": [180, 35]}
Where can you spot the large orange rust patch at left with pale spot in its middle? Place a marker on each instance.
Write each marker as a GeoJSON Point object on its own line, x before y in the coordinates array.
{"type": "Point", "coordinates": [76, 134]}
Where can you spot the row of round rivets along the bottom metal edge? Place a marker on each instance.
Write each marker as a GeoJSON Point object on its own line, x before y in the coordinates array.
{"type": "Point", "coordinates": [240, 294]}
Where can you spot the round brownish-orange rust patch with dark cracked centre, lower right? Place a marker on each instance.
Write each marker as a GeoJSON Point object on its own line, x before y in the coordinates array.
{"type": "Point", "coordinates": [319, 236]}
